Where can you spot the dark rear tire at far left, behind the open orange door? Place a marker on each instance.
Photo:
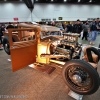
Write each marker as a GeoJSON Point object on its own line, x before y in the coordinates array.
{"type": "Point", "coordinates": [6, 44]}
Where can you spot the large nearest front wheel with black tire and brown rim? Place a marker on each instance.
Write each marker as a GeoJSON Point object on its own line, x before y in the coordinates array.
{"type": "Point", "coordinates": [81, 77]}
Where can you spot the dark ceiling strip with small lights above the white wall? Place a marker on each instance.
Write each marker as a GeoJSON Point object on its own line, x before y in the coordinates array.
{"type": "Point", "coordinates": [60, 1]}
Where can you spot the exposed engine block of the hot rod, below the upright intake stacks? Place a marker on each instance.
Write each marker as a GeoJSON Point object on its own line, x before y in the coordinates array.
{"type": "Point", "coordinates": [70, 50]}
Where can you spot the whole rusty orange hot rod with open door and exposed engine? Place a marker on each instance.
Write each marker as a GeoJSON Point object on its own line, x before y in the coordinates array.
{"type": "Point", "coordinates": [35, 44]}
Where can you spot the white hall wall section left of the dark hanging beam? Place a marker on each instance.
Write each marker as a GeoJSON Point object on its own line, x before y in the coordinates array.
{"type": "Point", "coordinates": [9, 11]}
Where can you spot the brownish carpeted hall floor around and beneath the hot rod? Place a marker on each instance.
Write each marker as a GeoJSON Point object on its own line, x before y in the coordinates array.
{"type": "Point", "coordinates": [31, 84]}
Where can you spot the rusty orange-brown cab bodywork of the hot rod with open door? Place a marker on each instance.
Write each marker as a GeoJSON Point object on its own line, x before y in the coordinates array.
{"type": "Point", "coordinates": [30, 51]}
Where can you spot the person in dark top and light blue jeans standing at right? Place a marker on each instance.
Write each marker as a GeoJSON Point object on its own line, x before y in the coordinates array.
{"type": "Point", "coordinates": [93, 31]}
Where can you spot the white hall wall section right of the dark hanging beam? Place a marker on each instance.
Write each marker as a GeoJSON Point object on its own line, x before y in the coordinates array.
{"type": "Point", "coordinates": [68, 12]}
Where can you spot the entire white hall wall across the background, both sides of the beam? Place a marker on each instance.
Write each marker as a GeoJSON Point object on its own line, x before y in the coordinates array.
{"type": "Point", "coordinates": [69, 12]}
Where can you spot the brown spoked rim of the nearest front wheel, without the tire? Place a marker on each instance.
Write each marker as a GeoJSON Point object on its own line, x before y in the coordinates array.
{"type": "Point", "coordinates": [78, 78]}
